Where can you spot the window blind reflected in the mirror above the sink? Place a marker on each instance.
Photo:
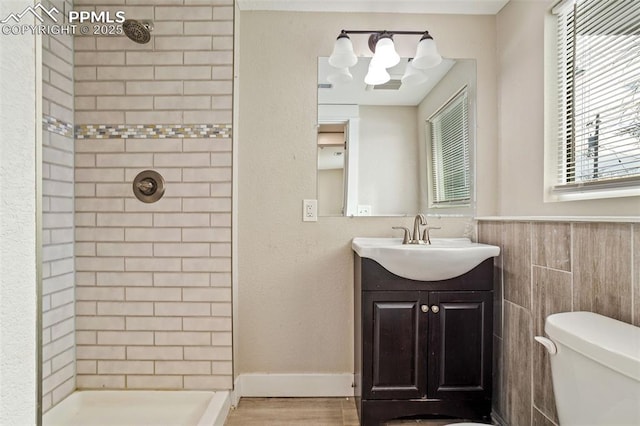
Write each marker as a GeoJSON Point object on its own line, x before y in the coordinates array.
{"type": "Point", "coordinates": [450, 167]}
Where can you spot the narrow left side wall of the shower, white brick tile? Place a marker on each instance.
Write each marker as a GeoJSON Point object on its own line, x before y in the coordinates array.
{"type": "Point", "coordinates": [58, 326]}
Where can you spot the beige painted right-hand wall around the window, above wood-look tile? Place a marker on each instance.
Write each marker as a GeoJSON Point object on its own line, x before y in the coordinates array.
{"type": "Point", "coordinates": [520, 47]}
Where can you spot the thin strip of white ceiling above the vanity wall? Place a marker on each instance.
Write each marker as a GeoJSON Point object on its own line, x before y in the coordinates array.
{"type": "Point", "coordinates": [467, 7]}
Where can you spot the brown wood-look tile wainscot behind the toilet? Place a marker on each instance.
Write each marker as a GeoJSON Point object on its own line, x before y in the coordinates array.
{"type": "Point", "coordinates": [545, 268]}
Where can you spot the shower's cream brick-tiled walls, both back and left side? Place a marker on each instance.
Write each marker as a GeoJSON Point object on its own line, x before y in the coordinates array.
{"type": "Point", "coordinates": [135, 295]}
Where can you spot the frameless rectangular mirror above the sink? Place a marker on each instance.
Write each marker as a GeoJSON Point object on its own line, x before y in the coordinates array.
{"type": "Point", "coordinates": [372, 141]}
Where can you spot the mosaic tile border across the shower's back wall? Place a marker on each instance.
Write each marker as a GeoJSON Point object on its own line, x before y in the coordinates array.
{"type": "Point", "coordinates": [152, 131]}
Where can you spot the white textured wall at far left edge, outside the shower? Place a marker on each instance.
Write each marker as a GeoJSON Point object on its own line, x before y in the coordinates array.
{"type": "Point", "coordinates": [18, 173]}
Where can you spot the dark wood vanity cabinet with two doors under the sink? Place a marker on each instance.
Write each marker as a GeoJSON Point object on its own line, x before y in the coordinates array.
{"type": "Point", "coordinates": [422, 348]}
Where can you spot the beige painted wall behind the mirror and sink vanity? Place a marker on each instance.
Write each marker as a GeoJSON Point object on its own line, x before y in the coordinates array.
{"type": "Point", "coordinates": [295, 279]}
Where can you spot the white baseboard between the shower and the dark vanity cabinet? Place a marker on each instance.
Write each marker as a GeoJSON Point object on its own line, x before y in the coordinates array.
{"type": "Point", "coordinates": [293, 385]}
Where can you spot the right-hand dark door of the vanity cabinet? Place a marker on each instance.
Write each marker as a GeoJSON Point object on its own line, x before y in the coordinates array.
{"type": "Point", "coordinates": [460, 345]}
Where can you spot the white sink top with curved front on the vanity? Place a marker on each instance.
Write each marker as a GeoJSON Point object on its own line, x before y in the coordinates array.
{"type": "Point", "coordinates": [443, 259]}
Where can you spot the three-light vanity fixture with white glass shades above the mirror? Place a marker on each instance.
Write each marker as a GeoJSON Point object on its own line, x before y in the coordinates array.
{"type": "Point", "coordinates": [384, 56]}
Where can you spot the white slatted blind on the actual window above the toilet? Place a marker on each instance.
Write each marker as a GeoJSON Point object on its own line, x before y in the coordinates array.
{"type": "Point", "coordinates": [599, 94]}
